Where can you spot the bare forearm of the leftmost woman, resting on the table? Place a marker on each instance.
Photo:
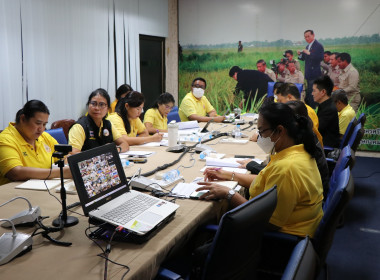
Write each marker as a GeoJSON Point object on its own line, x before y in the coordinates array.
{"type": "Point", "coordinates": [23, 173]}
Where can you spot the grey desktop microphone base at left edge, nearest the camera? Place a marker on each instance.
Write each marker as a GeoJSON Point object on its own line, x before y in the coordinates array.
{"type": "Point", "coordinates": [13, 244]}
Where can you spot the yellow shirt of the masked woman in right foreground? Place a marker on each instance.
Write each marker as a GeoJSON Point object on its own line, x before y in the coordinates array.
{"type": "Point", "coordinates": [299, 190]}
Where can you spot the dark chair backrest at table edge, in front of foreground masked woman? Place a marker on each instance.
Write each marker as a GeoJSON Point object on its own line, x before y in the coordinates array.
{"type": "Point", "coordinates": [247, 223]}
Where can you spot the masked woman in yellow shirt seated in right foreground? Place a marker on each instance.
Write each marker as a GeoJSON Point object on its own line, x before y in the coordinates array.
{"type": "Point", "coordinates": [292, 168]}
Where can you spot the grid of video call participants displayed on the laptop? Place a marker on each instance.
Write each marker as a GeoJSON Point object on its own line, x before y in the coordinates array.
{"type": "Point", "coordinates": [99, 174]}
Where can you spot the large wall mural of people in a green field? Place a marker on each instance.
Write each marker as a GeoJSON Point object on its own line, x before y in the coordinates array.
{"type": "Point", "coordinates": [297, 40]}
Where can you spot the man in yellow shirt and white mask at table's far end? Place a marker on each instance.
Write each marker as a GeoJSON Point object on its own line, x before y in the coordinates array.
{"type": "Point", "coordinates": [196, 107]}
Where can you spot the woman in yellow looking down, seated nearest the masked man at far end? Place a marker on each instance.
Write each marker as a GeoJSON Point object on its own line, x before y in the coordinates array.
{"type": "Point", "coordinates": [156, 118]}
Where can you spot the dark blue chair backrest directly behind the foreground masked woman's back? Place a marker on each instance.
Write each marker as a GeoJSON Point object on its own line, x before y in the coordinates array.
{"type": "Point", "coordinates": [339, 195]}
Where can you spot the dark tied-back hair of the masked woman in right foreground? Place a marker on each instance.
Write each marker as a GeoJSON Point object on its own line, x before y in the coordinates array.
{"type": "Point", "coordinates": [298, 127]}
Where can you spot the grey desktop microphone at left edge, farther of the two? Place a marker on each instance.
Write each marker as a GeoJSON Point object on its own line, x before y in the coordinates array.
{"type": "Point", "coordinates": [26, 217]}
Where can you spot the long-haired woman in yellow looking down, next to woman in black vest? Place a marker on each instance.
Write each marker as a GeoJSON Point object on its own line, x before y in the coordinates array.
{"type": "Point", "coordinates": [126, 120]}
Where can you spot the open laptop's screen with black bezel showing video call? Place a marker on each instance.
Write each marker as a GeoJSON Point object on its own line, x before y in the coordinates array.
{"type": "Point", "coordinates": [98, 175]}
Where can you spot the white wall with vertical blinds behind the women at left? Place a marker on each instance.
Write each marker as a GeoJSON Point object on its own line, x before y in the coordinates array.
{"type": "Point", "coordinates": [60, 51]}
